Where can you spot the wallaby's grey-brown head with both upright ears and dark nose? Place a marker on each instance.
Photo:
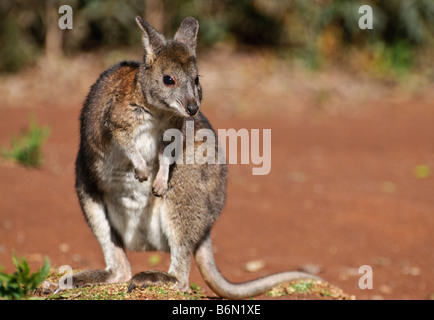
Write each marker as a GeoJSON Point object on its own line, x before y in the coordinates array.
{"type": "Point", "coordinates": [169, 76]}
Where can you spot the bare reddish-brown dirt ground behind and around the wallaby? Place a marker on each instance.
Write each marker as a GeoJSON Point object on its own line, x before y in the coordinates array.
{"type": "Point", "coordinates": [341, 193]}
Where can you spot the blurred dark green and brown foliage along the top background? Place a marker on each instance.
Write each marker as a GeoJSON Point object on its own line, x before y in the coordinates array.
{"type": "Point", "coordinates": [312, 30]}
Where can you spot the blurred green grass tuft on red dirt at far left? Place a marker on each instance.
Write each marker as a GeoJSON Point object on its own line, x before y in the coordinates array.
{"type": "Point", "coordinates": [26, 149]}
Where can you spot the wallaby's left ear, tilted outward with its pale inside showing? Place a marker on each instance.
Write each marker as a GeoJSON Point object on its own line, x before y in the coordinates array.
{"type": "Point", "coordinates": [153, 41]}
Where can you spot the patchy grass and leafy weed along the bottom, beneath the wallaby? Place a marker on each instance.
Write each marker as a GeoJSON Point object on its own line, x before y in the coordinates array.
{"type": "Point", "coordinates": [26, 285]}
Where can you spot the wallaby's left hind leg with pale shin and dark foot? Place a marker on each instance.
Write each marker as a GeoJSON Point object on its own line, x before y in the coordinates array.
{"type": "Point", "coordinates": [117, 266]}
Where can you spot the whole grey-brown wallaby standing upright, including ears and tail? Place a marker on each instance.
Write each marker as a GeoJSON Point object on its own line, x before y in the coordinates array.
{"type": "Point", "coordinates": [121, 165]}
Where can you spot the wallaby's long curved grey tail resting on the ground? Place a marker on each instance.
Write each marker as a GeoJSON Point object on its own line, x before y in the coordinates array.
{"type": "Point", "coordinates": [225, 289]}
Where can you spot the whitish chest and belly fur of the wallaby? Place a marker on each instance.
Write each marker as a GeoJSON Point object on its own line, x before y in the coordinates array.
{"type": "Point", "coordinates": [136, 215]}
